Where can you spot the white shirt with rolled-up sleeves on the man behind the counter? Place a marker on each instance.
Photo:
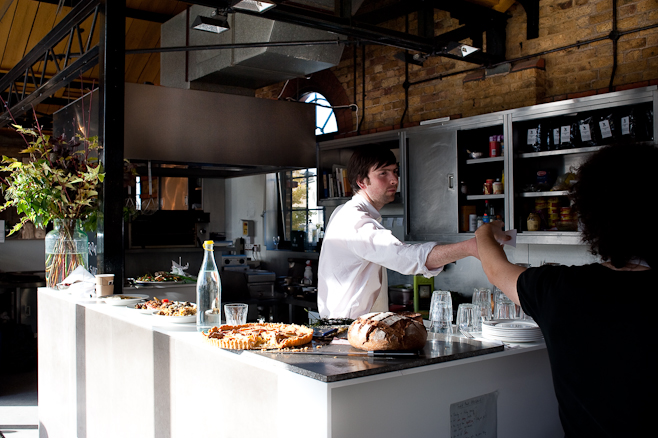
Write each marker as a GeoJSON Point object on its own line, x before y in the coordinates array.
{"type": "Point", "coordinates": [355, 252]}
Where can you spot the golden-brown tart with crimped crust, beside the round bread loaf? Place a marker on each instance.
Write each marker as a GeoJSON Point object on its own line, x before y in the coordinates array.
{"type": "Point", "coordinates": [259, 336]}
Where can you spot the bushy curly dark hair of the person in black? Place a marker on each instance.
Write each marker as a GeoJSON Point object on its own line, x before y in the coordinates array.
{"type": "Point", "coordinates": [613, 189]}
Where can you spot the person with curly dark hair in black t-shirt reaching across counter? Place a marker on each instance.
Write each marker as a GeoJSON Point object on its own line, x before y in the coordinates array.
{"type": "Point", "coordinates": [597, 320]}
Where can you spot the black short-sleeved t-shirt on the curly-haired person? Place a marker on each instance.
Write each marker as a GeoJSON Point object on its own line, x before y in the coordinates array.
{"type": "Point", "coordinates": [600, 331]}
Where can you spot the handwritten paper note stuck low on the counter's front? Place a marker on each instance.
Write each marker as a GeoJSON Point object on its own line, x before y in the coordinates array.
{"type": "Point", "coordinates": [475, 417]}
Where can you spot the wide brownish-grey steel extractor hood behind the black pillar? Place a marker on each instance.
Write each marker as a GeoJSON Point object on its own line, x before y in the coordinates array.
{"type": "Point", "coordinates": [211, 134]}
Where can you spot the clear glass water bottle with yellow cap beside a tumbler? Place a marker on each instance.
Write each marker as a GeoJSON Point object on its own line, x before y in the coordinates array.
{"type": "Point", "coordinates": [208, 291]}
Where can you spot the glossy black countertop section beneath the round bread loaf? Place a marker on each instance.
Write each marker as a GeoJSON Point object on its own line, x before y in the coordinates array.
{"type": "Point", "coordinates": [328, 368]}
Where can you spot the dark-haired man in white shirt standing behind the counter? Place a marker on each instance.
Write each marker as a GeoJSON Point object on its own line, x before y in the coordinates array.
{"type": "Point", "coordinates": [357, 249]}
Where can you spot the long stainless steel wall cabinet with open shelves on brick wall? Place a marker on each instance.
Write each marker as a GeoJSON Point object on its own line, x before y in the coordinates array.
{"type": "Point", "coordinates": [435, 161]}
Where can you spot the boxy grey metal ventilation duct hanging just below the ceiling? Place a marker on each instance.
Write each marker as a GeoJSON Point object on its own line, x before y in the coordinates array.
{"type": "Point", "coordinates": [241, 70]}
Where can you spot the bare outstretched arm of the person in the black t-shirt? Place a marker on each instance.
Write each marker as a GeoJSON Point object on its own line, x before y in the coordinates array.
{"type": "Point", "coordinates": [498, 269]}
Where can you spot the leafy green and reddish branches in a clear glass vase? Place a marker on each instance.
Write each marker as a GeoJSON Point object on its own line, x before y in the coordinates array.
{"type": "Point", "coordinates": [58, 183]}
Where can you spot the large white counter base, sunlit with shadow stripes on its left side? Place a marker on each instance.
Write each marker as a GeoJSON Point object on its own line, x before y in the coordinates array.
{"type": "Point", "coordinates": [105, 371]}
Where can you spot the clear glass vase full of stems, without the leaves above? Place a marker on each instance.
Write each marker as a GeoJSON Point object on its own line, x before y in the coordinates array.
{"type": "Point", "coordinates": [67, 247]}
